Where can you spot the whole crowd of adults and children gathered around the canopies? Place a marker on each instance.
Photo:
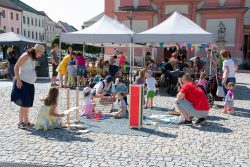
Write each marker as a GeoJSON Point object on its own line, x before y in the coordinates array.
{"type": "Point", "coordinates": [76, 70]}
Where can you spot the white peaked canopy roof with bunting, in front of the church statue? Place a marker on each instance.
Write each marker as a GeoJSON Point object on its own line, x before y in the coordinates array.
{"type": "Point", "coordinates": [177, 28]}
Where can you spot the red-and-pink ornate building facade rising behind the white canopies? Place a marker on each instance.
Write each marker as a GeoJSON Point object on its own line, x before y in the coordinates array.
{"type": "Point", "coordinates": [234, 14]}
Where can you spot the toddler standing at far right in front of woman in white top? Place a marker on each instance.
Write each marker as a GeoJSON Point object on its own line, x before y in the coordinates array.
{"type": "Point", "coordinates": [229, 99]}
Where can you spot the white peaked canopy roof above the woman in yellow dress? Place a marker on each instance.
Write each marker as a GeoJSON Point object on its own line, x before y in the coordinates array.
{"type": "Point", "coordinates": [106, 30]}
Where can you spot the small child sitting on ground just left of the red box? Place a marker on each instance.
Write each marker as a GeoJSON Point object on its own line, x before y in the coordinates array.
{"type": "Point", "coordinates": [120, 111]}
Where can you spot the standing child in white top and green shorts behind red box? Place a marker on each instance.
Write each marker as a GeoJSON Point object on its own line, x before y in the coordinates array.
{"type": "Point", "coordinates": [151, 84]}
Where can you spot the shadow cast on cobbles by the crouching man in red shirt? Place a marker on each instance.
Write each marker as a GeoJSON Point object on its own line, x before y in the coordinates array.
{"type": "Point", "coordinates": [213, 127]}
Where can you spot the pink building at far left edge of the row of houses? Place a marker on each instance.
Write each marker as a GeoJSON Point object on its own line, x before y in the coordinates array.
{"type": "Point", "coordinates": [10, 18]}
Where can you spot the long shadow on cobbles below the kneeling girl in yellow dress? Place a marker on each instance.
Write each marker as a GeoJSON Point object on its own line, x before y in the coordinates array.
{"type": "Point", "coordinates": [60, 135]}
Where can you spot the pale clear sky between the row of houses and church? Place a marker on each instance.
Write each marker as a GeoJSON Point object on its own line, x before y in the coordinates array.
{"type": "Point", "coordinates": [74, 12]}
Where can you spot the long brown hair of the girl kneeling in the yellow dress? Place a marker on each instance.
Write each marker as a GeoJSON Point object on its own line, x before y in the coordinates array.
{"type": "Point", "coordinates": [52, 96]}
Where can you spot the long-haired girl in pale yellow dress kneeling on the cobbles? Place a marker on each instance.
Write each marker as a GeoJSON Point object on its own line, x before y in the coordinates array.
{"type": "Point", "coordinates": [48, 118]}
